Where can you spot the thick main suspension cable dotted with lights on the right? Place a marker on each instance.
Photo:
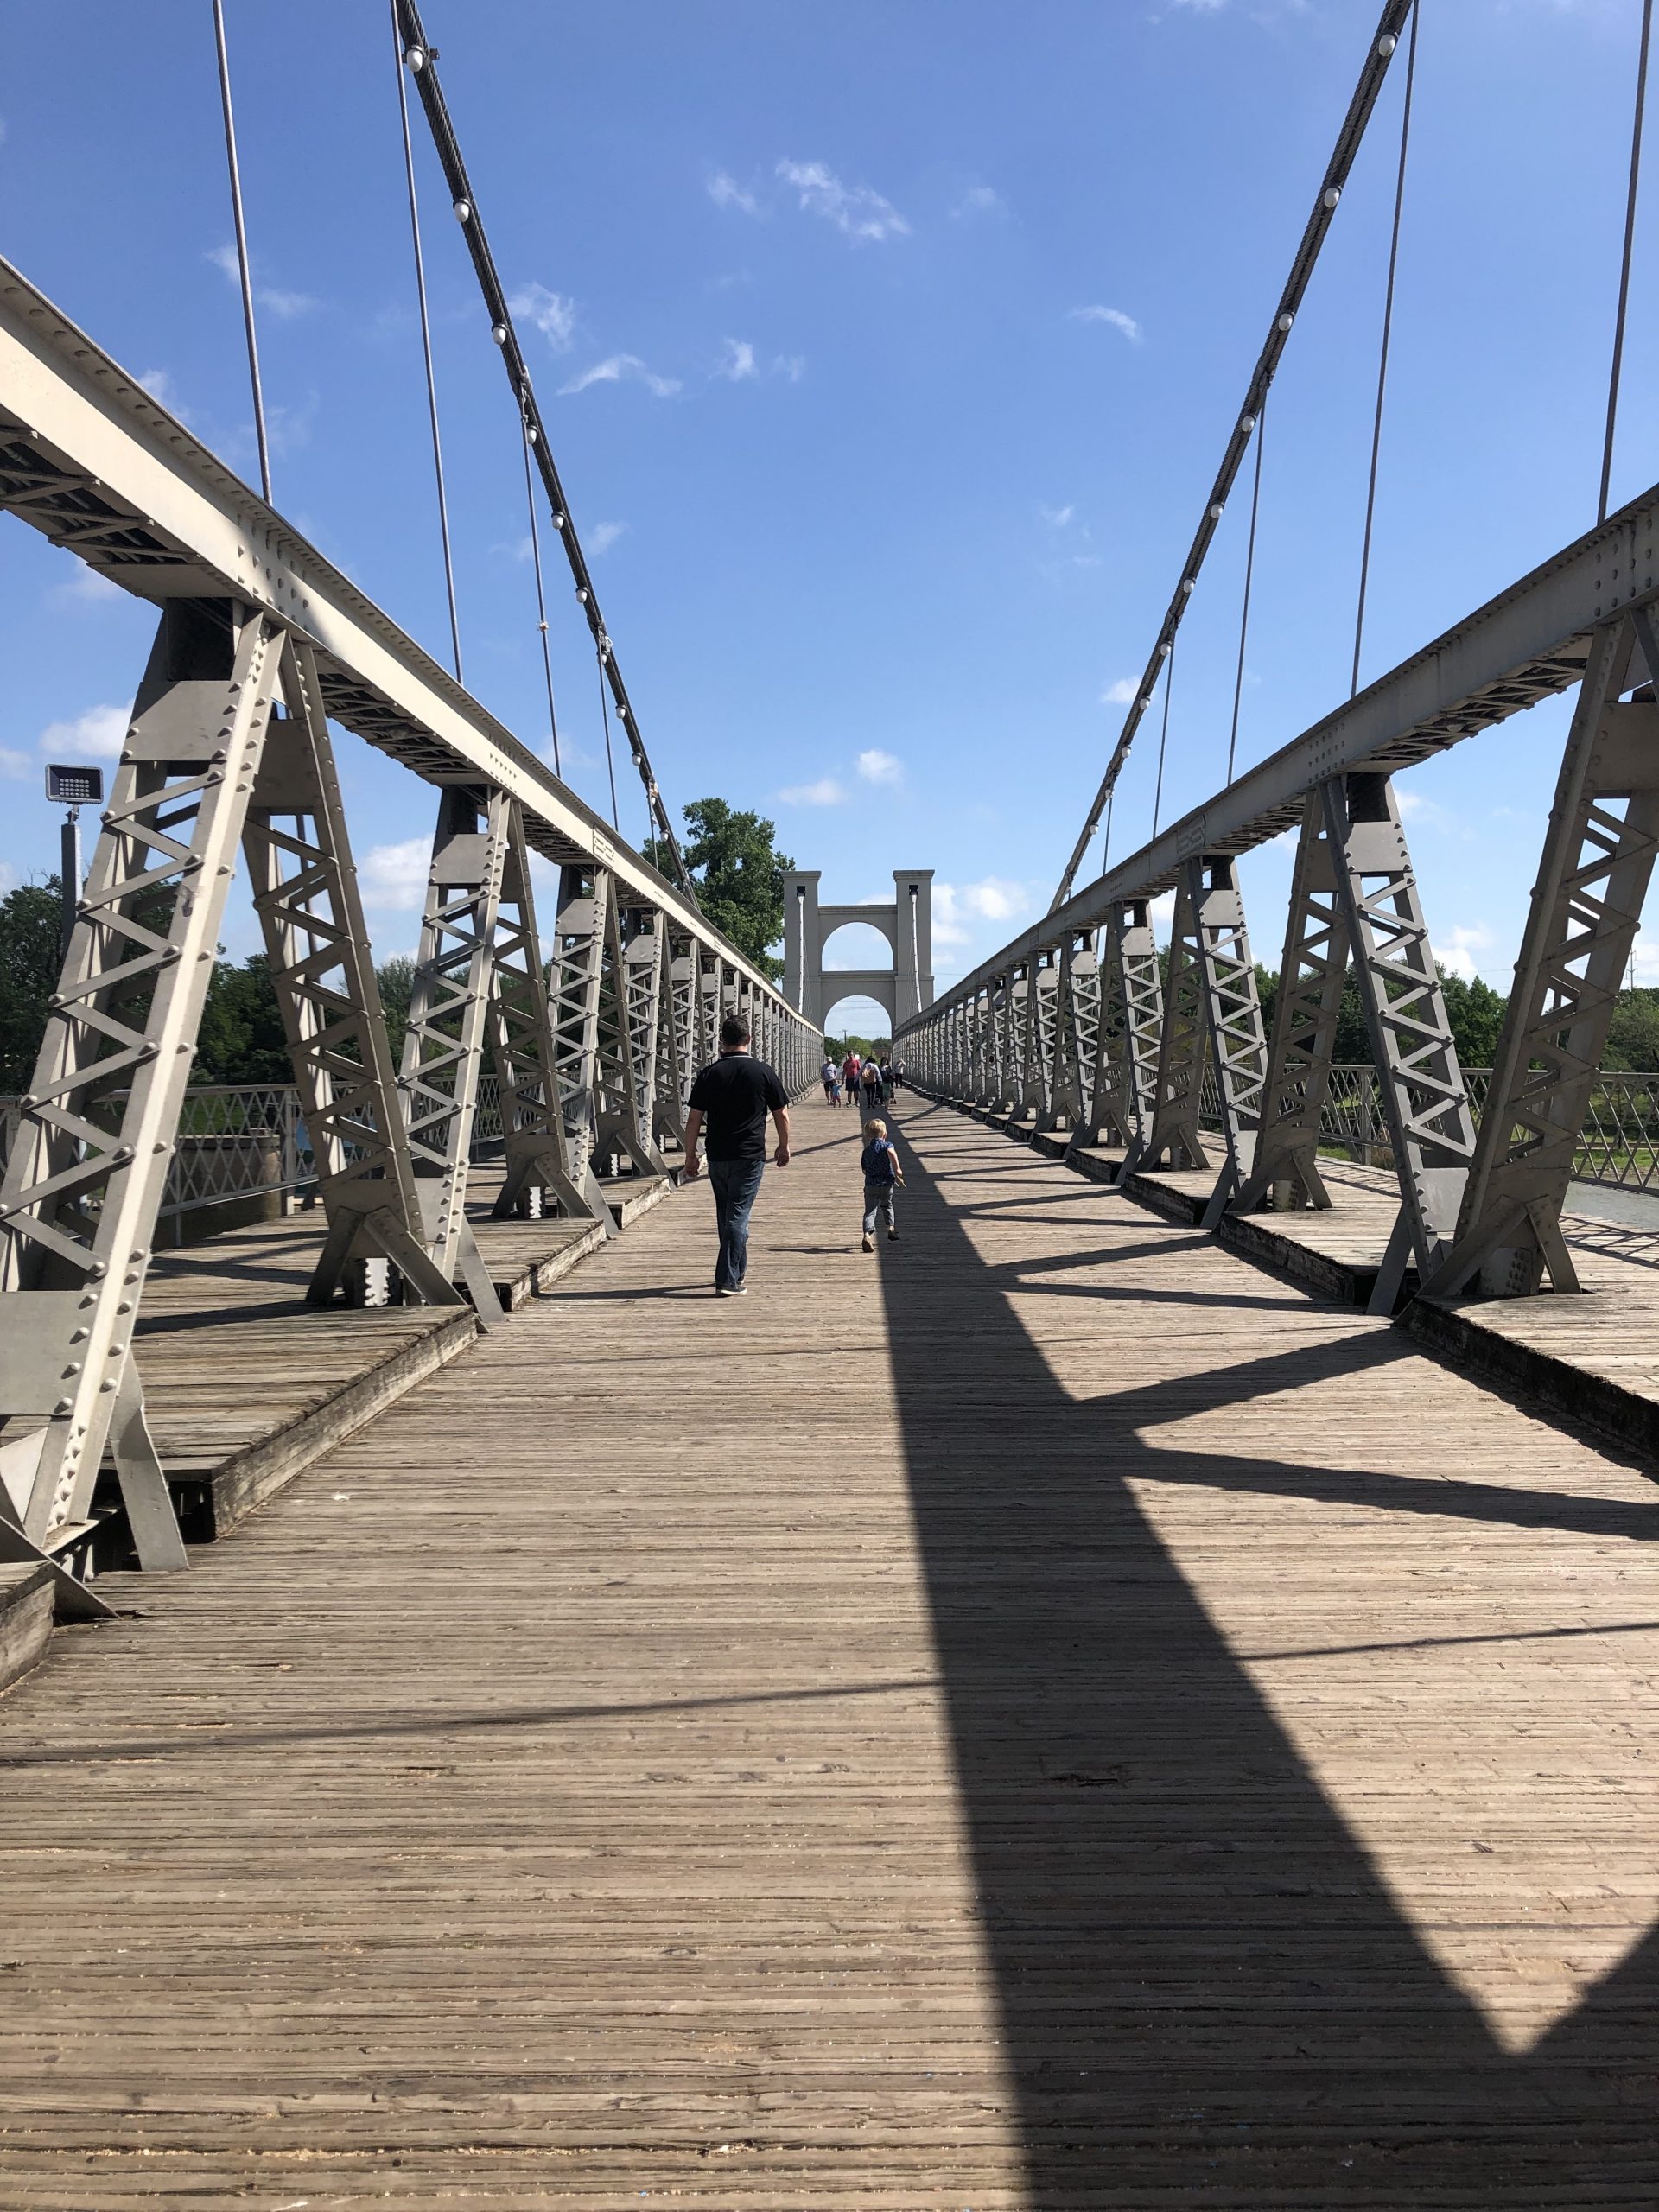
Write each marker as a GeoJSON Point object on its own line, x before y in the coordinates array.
{"type": "Point", "coordinates": [1319, 222]}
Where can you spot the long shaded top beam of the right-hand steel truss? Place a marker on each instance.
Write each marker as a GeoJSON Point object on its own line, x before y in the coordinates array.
{"type": "Point", "coordinates": [1523, 647]}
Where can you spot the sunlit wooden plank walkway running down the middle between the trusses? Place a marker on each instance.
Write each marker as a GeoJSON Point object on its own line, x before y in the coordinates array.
{"type": "Point", "coordinates": [1045, 1718]}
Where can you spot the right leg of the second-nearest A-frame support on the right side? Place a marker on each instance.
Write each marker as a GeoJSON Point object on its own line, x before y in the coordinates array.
{"type": "Point", "coordinates": [1406, 1014]}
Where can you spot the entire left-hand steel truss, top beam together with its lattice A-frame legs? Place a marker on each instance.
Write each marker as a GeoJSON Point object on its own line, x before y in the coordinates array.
{"type": "Point", "coordinates": [264, 645]}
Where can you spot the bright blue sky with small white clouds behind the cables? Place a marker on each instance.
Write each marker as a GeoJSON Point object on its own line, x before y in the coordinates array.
{"type": "Point", "coordinates": [888, 355]}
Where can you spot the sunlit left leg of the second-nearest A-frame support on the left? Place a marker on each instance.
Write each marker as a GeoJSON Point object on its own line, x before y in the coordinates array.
{"type": "Point", "coordinates": [450, 1016]}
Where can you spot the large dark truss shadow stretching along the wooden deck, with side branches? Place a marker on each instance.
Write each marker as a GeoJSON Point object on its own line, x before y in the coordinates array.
{"type": "Point", "coordinates": [1204, 1983]}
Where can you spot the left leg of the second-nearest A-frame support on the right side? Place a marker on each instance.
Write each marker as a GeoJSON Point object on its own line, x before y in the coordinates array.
{"type": "Point", "coordinates": [1304, 1036]}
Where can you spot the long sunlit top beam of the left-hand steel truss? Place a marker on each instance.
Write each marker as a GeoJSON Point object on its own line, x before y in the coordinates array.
{"type": "Point", "coordinates": [94, 463]}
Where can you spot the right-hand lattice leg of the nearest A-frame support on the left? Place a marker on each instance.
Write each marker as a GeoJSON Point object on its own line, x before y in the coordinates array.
{"type": "Point", "coordinates": [317, 950]}
